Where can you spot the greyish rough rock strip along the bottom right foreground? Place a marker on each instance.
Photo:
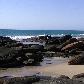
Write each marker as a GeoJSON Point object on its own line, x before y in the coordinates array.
{"type": "Point", "coordinates": [58, 81]}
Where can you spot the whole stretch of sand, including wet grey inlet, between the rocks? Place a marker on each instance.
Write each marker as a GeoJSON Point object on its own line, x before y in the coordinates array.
{"type": "Point", "coordinates": [50, 67]}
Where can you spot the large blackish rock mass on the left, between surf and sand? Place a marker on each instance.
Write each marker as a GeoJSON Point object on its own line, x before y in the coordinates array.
{"type": "Point", "coordinates": [13, 53]}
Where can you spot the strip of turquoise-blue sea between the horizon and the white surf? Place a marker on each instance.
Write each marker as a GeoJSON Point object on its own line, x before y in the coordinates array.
{"type": "Point", "coordinates": [8, 32]}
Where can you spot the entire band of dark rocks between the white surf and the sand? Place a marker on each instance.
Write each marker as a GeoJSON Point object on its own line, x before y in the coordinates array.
{"type": "Point", "coordinates": [13, 53]}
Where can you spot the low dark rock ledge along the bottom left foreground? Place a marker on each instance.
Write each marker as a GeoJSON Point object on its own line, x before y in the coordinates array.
{"type": "Point", "coordinates": [19, 80]}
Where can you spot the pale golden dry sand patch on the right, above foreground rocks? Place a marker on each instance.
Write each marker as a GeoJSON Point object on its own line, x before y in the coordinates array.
{"type": "Point", "coordinates": [63, 69]}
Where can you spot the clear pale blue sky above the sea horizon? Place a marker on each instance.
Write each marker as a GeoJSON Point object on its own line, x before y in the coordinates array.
{"type": "Point", "coordinates": [42, 14]}
